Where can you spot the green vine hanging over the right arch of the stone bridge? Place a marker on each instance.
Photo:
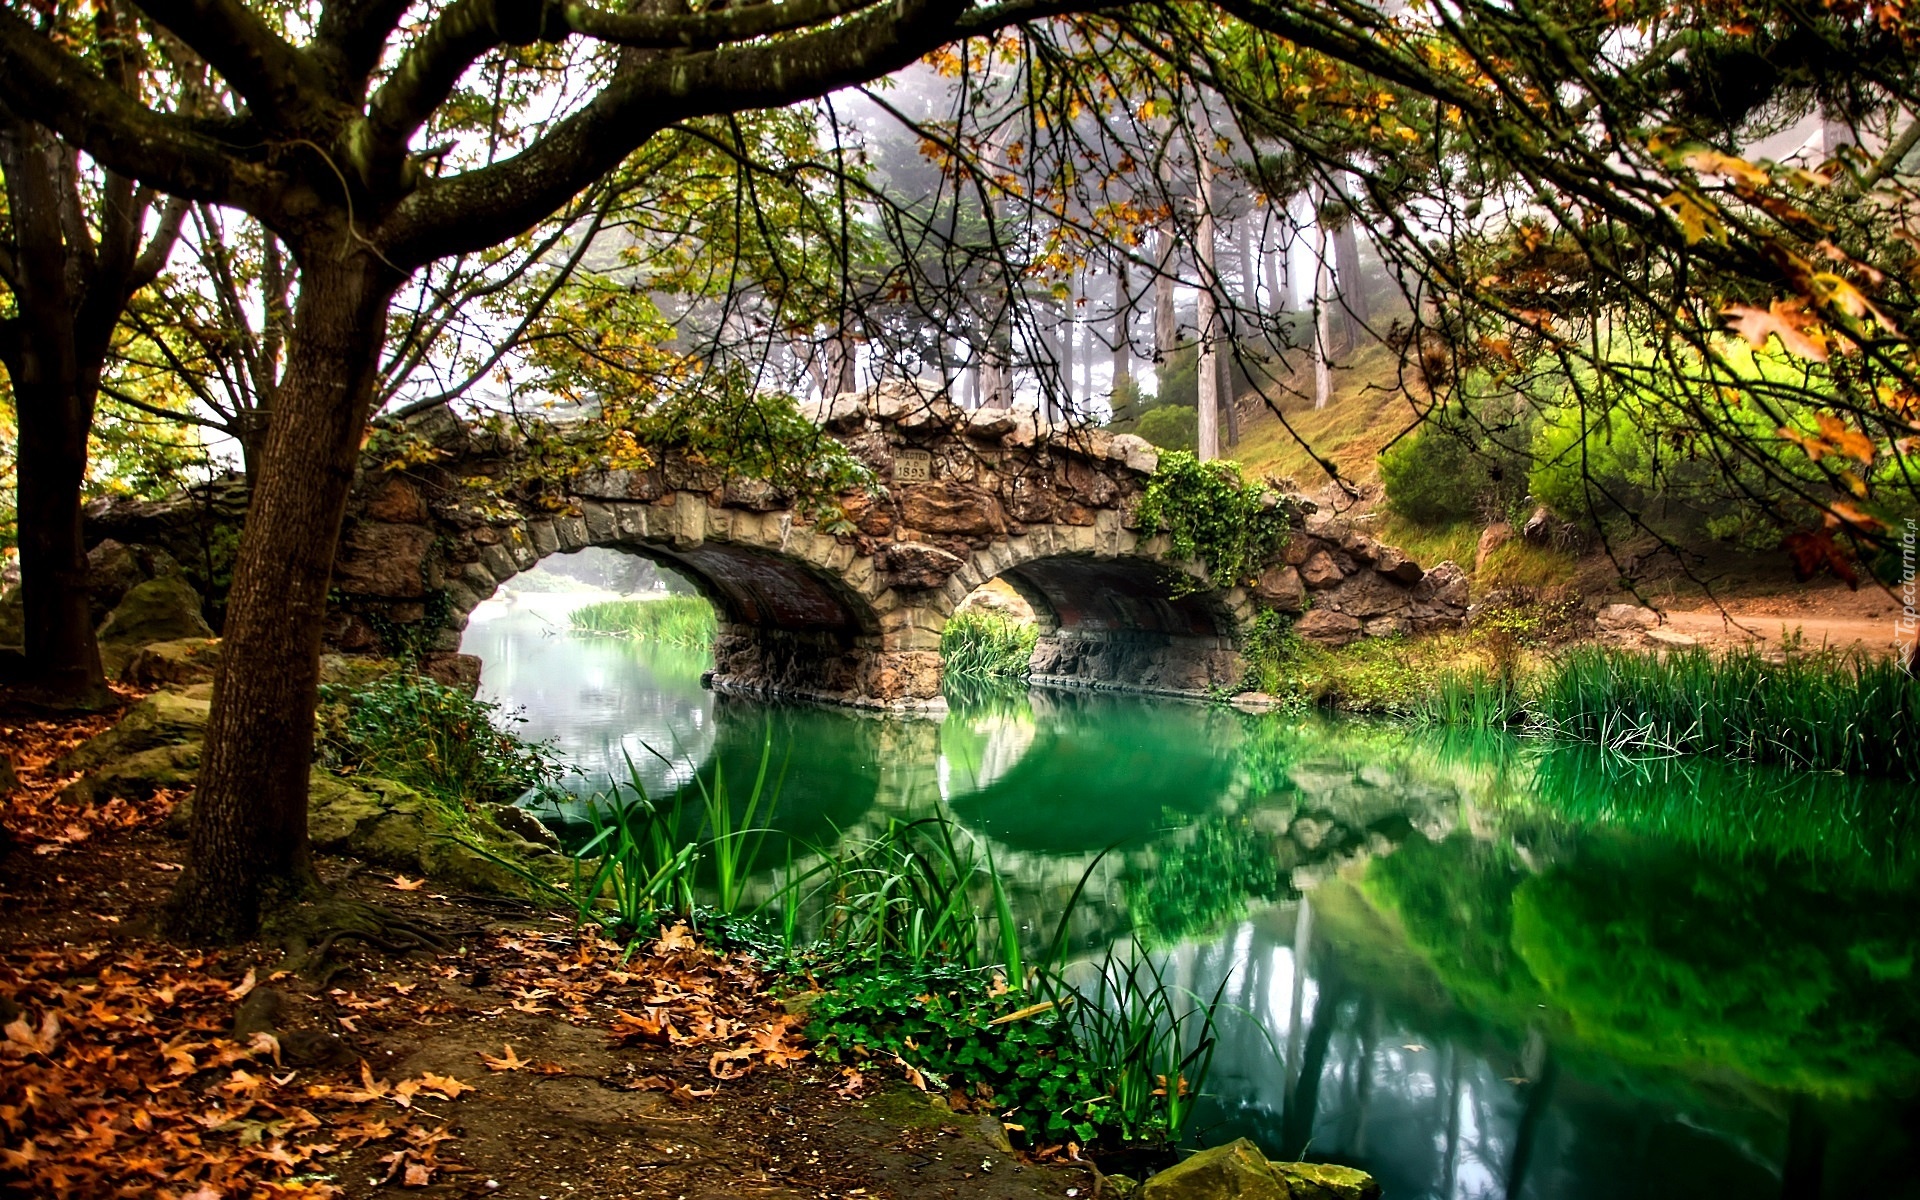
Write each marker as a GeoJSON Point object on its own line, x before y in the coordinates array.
{"type": "Point", "coordinates": [1214, 516]}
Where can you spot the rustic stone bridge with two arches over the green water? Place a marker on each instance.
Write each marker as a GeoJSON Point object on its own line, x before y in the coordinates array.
{"type": "Point", "coordinates": [857, 615]}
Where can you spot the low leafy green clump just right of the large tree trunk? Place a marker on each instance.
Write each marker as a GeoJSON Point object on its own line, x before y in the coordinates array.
{"type": "Point", "coordinates": [433, 738]}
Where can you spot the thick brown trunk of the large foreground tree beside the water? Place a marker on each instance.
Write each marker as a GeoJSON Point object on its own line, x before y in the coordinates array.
{"type": "Point", "coordinates": [251, 805]}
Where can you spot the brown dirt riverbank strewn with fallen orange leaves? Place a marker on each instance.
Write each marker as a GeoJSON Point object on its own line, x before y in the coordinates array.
{"type": "Point", "coordinates": [514, 1057]}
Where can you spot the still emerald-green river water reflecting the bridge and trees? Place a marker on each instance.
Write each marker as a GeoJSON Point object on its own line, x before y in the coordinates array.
{"type": "Point", "coordinates": [1474, 967]}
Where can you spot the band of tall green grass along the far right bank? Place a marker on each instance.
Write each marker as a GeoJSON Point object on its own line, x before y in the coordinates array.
{"type": "Point", "coordinates": [1848, 713]}
